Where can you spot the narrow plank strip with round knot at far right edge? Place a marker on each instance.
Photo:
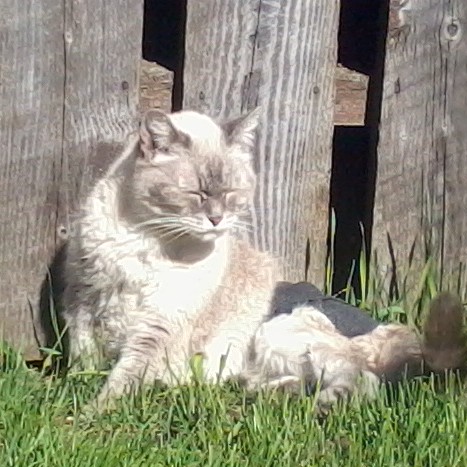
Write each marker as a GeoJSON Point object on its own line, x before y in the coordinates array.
{"type": "Point", "coordinates": [454, 141]}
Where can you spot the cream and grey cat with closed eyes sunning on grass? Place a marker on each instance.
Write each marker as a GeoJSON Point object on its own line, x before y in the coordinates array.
{"type": "Point", "coordinates": [155, 274]}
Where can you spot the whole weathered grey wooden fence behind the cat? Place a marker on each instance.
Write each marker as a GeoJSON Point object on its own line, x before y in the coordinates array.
{"type": "Point", "coordinates": [69, 83]}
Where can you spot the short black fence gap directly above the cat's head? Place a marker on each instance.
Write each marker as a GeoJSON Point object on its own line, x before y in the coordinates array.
{"type": "Point", "coordinates": [164, 39]}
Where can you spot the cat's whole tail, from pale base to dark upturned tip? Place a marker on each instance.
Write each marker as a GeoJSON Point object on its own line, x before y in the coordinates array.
{"type": "Point", "coordinates": [395, 351]}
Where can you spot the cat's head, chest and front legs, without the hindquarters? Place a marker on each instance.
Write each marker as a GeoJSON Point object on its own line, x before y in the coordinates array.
{"type": "Point", "coordinates": [152, 274]}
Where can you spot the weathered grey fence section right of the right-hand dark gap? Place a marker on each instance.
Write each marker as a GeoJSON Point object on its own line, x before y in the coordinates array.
{"type": "Point", "coordinates": [420, 193]}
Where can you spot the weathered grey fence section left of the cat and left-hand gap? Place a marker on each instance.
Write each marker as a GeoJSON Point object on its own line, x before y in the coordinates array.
{"type": "Point", "coordinates": [62, 69]}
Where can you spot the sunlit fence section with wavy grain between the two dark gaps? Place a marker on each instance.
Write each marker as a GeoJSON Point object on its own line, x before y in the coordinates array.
{"type": "Point", "coordinates": [282, 56]}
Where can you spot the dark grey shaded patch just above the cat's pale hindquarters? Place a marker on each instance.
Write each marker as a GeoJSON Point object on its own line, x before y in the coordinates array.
{"type": "Point", "coordinates": [348, 320]}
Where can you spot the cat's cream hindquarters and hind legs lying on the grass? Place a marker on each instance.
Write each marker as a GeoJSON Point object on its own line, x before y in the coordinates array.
{"type": "Point", "coordinates": [306, 347]}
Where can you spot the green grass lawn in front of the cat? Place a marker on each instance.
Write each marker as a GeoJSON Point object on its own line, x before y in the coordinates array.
{"type": "Point", "coordinates": [212, 426]}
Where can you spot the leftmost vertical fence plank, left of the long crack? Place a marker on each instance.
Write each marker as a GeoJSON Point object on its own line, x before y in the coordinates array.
{"type": "Point", "coordinates": [31, 129]}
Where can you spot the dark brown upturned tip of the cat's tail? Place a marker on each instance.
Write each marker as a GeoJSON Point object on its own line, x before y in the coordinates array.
{"type": "Point", "coordinates": [444, 341]}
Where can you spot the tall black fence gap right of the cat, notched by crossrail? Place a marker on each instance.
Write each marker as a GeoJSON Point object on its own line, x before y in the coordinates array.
{"type": "Point", "coordinates": [361, 47]}
